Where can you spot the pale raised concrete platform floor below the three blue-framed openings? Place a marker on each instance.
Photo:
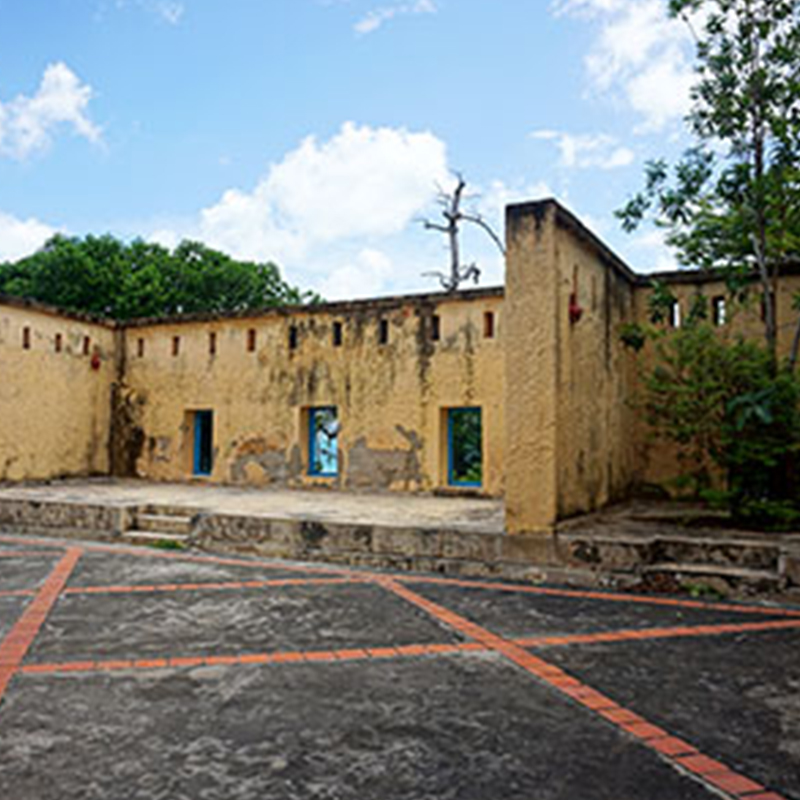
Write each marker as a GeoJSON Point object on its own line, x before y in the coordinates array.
{"type": "Point", "coordinates": [474, 515]}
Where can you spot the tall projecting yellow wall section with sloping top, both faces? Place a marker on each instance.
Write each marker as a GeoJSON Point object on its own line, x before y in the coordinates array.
{"type": "Point", "coordinates": [570, 446]}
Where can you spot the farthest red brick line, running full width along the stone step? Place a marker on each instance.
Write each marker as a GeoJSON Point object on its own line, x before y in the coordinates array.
{"type": "Point", "coordinates": [280, 564]}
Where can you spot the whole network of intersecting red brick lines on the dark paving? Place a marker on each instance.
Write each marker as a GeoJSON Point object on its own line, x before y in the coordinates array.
{"type": "Point", "coordinates": [682, 755]}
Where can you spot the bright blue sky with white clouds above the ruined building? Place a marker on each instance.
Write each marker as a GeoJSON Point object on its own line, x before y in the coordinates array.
{"type": "Point", "coordinates": [314, 132]}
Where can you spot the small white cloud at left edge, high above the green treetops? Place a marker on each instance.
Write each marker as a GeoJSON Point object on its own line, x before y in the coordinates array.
{"type": "Point", "coordinates": [27, 124]}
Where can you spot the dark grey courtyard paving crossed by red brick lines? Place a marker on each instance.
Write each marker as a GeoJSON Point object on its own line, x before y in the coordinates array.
{"type": "Point", "coordinates": [141, 673]}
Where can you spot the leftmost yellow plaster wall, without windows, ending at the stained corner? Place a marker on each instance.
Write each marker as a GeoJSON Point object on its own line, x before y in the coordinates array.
{"type": "Point", "coordinates": [54, 408]}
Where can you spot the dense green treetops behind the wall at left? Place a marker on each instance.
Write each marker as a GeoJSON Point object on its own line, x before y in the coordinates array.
{"type": "Point", "coordinates": [104, 276]}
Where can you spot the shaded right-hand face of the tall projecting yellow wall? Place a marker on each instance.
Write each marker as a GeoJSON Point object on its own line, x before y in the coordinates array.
{"type": "Point", "coordinates": [596, 451]}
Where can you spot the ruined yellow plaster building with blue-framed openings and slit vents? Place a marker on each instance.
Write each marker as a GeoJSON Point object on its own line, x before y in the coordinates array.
{"type": "Point", "coordinates": [522, 391]}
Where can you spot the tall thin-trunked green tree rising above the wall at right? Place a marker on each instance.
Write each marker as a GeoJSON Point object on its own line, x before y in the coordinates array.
{"type": "Point", "coordinates": [732, 203]}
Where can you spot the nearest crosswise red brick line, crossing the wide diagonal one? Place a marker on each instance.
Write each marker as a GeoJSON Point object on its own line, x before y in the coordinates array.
{"type": "Point", "coordinates": [347, 654]}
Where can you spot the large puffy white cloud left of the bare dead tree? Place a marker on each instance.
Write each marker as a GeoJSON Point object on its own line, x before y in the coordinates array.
{"type": "Point", "coordinates": [364, 182]}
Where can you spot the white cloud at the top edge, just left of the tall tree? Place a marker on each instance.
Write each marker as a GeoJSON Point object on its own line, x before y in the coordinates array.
{"type": "Point", "coordinates": [640, 54]}
